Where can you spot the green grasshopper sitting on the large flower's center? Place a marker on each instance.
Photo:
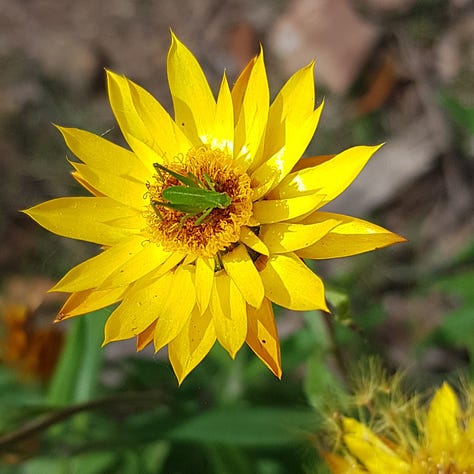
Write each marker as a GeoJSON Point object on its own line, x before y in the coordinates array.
{"type": "Point", "coordinates": [193, 197]}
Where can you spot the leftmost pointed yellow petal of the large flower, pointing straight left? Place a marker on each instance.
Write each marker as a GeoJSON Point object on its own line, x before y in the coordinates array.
{"type": "Point", "coordinates": [85, 218]}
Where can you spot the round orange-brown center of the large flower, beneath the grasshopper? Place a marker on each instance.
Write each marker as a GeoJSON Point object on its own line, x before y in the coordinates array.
{"type": "Point", "coordinates": [201, 219]}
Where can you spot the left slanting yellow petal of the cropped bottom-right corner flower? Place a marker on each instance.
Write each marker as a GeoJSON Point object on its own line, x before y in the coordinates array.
{"type": "Point", "coordinates": [375, 455]}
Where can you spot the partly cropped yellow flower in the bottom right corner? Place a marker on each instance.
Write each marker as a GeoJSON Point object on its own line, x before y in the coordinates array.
{"type": "Point", "coordinates": [439, 440]}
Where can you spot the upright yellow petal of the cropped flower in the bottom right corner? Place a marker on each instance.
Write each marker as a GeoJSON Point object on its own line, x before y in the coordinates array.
{"type": "Point", "coordinates": [442, 424]}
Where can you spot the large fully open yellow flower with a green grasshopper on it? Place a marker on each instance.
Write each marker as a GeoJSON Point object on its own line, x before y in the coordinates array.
{"type": "Point", "coordinates": [186, 276]}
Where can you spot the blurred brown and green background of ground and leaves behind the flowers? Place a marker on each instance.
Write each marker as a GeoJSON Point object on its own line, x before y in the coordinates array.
{"type": "Point", "coordinates": [394, 71]}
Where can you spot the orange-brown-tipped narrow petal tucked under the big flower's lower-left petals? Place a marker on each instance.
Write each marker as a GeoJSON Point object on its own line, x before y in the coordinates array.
{"type": "Point", "coordinates": [83, 302]}
